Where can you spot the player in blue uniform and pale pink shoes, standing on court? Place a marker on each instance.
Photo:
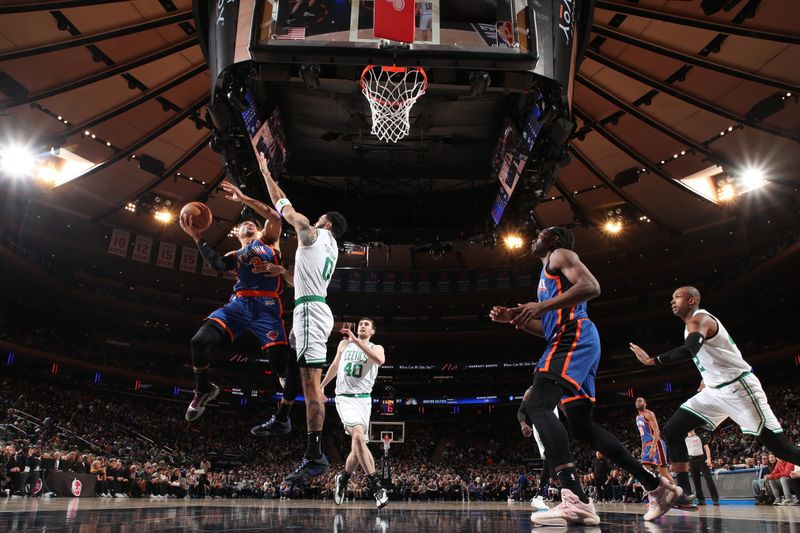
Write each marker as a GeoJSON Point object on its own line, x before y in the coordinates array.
{"type": "Point", "coordinates": [566, 373]}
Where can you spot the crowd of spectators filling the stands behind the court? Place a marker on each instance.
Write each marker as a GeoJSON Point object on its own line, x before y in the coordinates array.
{"type": "Point", "coordinates": [140, 446]}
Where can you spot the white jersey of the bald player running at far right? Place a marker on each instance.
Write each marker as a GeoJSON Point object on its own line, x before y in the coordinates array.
{"type": "Point", "coordinates": [719, 360]}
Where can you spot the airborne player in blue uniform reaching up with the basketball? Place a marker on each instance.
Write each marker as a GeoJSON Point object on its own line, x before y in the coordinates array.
{"type": "Point", "coordinates": [254, 306]}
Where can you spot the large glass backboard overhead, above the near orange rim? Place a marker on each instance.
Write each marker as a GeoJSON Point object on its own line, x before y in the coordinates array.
{"type": "Point", "coordinates": [454, 33]}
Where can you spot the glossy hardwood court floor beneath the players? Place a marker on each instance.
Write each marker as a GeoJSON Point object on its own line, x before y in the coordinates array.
{"type": "Point", "coordinates": [107, 515]}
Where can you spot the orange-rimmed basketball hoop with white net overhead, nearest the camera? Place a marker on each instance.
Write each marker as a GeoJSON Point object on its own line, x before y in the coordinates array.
{"type": "Point", "coordinates": [391, 92]}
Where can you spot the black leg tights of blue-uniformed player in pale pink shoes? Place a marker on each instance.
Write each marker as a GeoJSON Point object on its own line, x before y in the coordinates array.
{"type": "Point", "coordinates": [545, 396]}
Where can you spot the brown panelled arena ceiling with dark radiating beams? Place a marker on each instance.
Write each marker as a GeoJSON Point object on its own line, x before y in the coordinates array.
{"type": "Point", "coordinates": [664, 88]}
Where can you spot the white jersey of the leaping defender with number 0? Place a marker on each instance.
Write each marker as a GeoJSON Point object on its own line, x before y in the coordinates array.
{"type": "Point", "coordinates": [314, 265]}
